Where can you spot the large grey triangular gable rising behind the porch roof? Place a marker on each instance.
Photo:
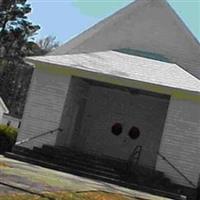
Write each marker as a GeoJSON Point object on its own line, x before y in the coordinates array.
{"type": "Point", "coordinates": [146, 25]}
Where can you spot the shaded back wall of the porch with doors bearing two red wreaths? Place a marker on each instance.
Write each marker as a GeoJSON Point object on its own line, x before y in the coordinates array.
{"type": "Point", "coordinates": [141, 118]}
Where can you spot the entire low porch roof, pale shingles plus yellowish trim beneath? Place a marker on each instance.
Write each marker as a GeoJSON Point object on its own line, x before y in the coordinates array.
{"type": "Point", "coordinates": [122, 69]}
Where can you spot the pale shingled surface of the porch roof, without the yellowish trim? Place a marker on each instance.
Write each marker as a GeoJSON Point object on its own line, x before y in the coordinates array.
{"type": "Point", "coordinates": [125, 66]}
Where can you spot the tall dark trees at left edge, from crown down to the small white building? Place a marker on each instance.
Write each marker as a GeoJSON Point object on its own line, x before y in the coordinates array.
{"type": "Point", "coordinates": [15, 34]}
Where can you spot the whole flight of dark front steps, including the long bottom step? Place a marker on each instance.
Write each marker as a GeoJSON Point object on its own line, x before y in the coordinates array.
{"type": "Point", "coordinates": [99, 167]}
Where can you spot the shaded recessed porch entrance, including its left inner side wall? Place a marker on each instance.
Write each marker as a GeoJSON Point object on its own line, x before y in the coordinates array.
{"type": "Point", "coordinates": [112, 121]}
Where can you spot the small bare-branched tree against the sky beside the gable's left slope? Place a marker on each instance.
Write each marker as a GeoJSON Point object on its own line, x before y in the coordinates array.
{"type": "Point", "coordinates": [47, 44]}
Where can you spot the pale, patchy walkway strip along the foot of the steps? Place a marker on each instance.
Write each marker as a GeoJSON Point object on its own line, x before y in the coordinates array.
{"type": "Point", "coordinates": [19, 177]}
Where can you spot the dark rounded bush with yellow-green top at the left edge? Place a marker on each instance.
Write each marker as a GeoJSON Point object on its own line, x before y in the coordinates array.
{"type": "Point", "coordinates": [8, 137]}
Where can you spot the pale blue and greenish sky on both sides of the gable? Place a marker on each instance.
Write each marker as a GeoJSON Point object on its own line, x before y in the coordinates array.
{"type": "Point", "coordinates": [67, 18]}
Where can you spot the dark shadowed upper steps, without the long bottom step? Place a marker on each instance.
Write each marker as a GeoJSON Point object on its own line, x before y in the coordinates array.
{"type": "Point", "coordinates": [140, 175]}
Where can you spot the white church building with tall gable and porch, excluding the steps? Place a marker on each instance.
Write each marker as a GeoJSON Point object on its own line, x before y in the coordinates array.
{"type": "Point", "coordinates": [131, 80]}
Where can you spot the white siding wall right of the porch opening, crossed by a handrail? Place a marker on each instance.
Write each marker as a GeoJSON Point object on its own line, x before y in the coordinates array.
{"type": "Point", "coordinates": [181, 140]}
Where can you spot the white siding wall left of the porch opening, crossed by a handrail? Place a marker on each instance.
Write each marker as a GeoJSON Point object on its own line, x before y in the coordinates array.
{"type": "Point", "coordinates": [43, 107]}
